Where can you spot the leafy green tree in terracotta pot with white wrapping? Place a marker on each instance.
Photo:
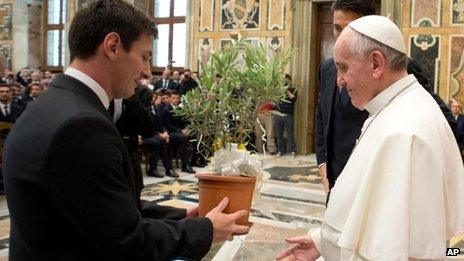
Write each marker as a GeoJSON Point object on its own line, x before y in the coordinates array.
{"type": "Point", "coordinates": [222, 112]}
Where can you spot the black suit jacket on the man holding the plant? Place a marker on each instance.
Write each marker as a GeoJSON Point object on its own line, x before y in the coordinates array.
{"type": "Point", "coordinates": [70, 188]}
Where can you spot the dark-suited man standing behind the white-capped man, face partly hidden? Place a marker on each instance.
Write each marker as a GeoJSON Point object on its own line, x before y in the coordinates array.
{"type": "Point", "coordinates": [338, 122]}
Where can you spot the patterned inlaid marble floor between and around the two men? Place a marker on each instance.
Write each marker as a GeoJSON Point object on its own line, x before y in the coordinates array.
{"type": "Point", "coordinates": [289, 204]}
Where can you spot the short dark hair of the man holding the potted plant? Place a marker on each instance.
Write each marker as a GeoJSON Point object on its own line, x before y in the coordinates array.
{"type": "Point", "coordinates": [92, 23]}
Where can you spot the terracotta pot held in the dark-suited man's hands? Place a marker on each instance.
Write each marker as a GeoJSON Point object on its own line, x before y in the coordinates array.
{"type": "Point", "coordinates": [213, 188]}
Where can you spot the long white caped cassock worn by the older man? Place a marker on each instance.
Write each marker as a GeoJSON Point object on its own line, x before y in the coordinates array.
{"type": "Point", "coordinates": [401, 194]}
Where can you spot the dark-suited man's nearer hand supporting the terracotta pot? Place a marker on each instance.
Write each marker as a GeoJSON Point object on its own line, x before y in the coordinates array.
{"type": "Point", "coordinates": [224, 224]}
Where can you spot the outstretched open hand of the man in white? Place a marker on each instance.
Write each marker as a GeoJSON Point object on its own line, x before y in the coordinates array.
{"type": "Point", "coordinates": [304, 250]}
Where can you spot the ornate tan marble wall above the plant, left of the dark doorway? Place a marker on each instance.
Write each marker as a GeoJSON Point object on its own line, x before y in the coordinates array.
{"type": "Point", "coordinates": [214, 21]}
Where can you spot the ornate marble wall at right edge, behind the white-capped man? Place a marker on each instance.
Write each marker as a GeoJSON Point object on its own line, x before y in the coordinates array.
{"type": "Point", "coordinates": [435, 33]}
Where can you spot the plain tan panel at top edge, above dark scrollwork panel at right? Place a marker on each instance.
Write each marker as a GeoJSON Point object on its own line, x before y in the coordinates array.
{"type": "Point", "coordinates": [425, 13]}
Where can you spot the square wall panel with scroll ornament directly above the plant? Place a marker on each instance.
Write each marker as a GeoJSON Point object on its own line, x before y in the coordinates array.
{"type": "Point", "coordinates": [240, 14]}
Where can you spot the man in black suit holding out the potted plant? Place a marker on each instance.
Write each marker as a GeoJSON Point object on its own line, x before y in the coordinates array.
{"type": "Point", "coordinates": [68, 178]}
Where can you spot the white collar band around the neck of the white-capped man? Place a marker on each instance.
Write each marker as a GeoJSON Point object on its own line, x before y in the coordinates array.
{"type": "Point", "coordinates": [383, 98]}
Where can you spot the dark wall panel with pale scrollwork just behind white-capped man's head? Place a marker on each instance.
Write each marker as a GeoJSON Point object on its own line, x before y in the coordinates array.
{"type": "Point", "coordinates": [425, 49]}
